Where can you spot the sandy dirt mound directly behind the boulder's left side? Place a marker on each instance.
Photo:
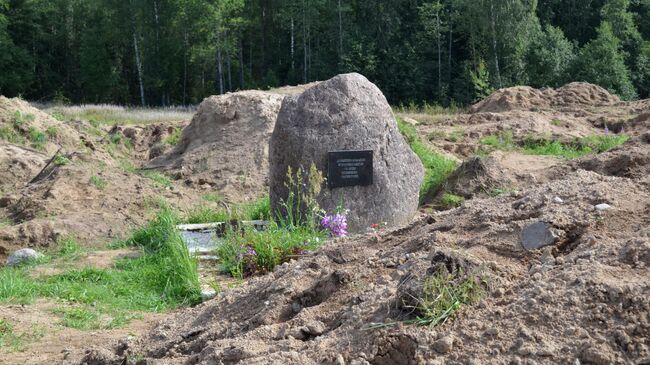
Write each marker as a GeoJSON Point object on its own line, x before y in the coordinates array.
{"type": "Point", "coordinates": [226, 145]}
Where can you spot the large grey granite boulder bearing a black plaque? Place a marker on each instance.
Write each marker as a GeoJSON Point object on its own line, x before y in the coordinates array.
{"type": "Point", "coordinates": [347, 112]}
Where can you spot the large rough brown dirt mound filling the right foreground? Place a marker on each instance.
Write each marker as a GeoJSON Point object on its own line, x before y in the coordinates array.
{"type": "Point", "coordinates": [586, 298]}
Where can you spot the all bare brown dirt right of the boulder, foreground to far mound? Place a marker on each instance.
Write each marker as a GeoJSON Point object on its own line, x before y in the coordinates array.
{"type": "Point", "coordinates": [583, 300]}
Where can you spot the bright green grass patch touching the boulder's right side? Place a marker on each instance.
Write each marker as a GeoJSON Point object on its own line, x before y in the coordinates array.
{"type": "Point", "coordinates": [437, 167]}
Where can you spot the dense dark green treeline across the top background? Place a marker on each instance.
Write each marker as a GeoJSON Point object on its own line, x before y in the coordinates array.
{"type": "Point", "coordinates": [162, 52]}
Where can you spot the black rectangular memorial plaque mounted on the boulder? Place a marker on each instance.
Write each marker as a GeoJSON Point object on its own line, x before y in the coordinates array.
{"type": "Point", "coordinates": [349, 168]}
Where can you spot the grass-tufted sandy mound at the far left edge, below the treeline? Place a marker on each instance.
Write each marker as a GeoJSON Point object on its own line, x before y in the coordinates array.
{"type": "Point", "coordinates": [22, 124]}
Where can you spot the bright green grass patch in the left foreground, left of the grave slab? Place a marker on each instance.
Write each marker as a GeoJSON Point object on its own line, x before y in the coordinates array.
{"type": "Point", "coordinates": [162, 278]}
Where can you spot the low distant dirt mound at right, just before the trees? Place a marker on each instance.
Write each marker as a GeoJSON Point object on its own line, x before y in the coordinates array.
{"type": "Point", "coordinates": [527, 98]}
